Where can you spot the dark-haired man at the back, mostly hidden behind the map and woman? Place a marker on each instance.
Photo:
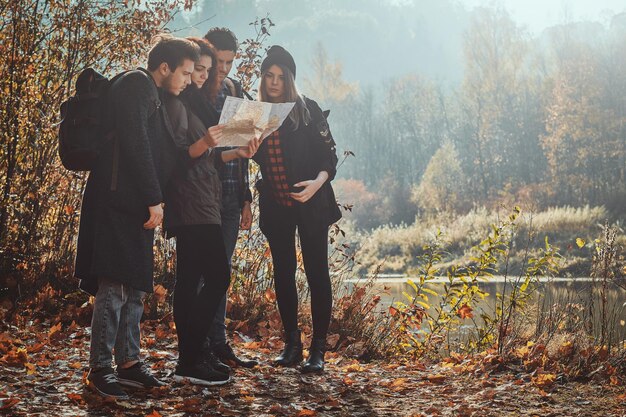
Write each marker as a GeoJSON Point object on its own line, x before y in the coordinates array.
{"type": "Point", "coordinates": [236, 212]}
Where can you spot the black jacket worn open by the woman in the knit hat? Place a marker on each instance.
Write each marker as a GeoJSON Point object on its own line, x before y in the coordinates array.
{"type": "Point", "coordinates": [306, 151]}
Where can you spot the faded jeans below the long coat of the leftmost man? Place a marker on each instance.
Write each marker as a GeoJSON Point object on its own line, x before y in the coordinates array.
{"type": "Point", "coordinates": [115, 324]}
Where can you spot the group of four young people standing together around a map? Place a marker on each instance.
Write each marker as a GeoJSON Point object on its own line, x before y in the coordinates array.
{"type": "Point", "coordinates": [164, 166]}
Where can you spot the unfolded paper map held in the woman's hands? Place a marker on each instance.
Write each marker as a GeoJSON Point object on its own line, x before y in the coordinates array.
{"type": "Point", "coordinates": [245, 119]}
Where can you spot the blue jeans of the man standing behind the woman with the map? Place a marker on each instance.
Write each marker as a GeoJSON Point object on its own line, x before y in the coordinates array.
{"type": "Point", "coordinates": [231, 214]}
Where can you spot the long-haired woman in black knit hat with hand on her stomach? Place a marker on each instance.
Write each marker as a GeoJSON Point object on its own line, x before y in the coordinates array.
{"type": "Point", "coordinates": [297, 162]}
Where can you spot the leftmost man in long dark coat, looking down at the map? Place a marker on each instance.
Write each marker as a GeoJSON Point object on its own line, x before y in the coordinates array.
{"type": "Point", "coordinates": [121, 208]}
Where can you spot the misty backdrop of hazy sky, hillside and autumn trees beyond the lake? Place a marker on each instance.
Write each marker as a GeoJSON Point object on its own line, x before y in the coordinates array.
{"type": "Point", "coordinates": [450, 106]}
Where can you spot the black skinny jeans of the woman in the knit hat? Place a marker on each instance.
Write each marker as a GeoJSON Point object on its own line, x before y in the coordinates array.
{"type": "Point", "coordinates": [282, 240]}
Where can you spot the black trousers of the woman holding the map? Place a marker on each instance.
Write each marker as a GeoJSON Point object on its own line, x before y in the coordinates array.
{"type": "Point", "coordinates": [200, 253]}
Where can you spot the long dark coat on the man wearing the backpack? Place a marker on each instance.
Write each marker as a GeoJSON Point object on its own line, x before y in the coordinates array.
{"type": "Point", "coordinates": [112, 242]}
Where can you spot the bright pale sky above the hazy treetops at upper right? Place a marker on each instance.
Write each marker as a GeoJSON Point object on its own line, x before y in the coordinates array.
{"type": "Point", "coordinates": [536, 15]}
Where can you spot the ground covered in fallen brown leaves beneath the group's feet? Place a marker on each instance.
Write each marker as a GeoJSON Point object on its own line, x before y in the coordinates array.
{"type": "Point", "coordinates": [43, 371]}
